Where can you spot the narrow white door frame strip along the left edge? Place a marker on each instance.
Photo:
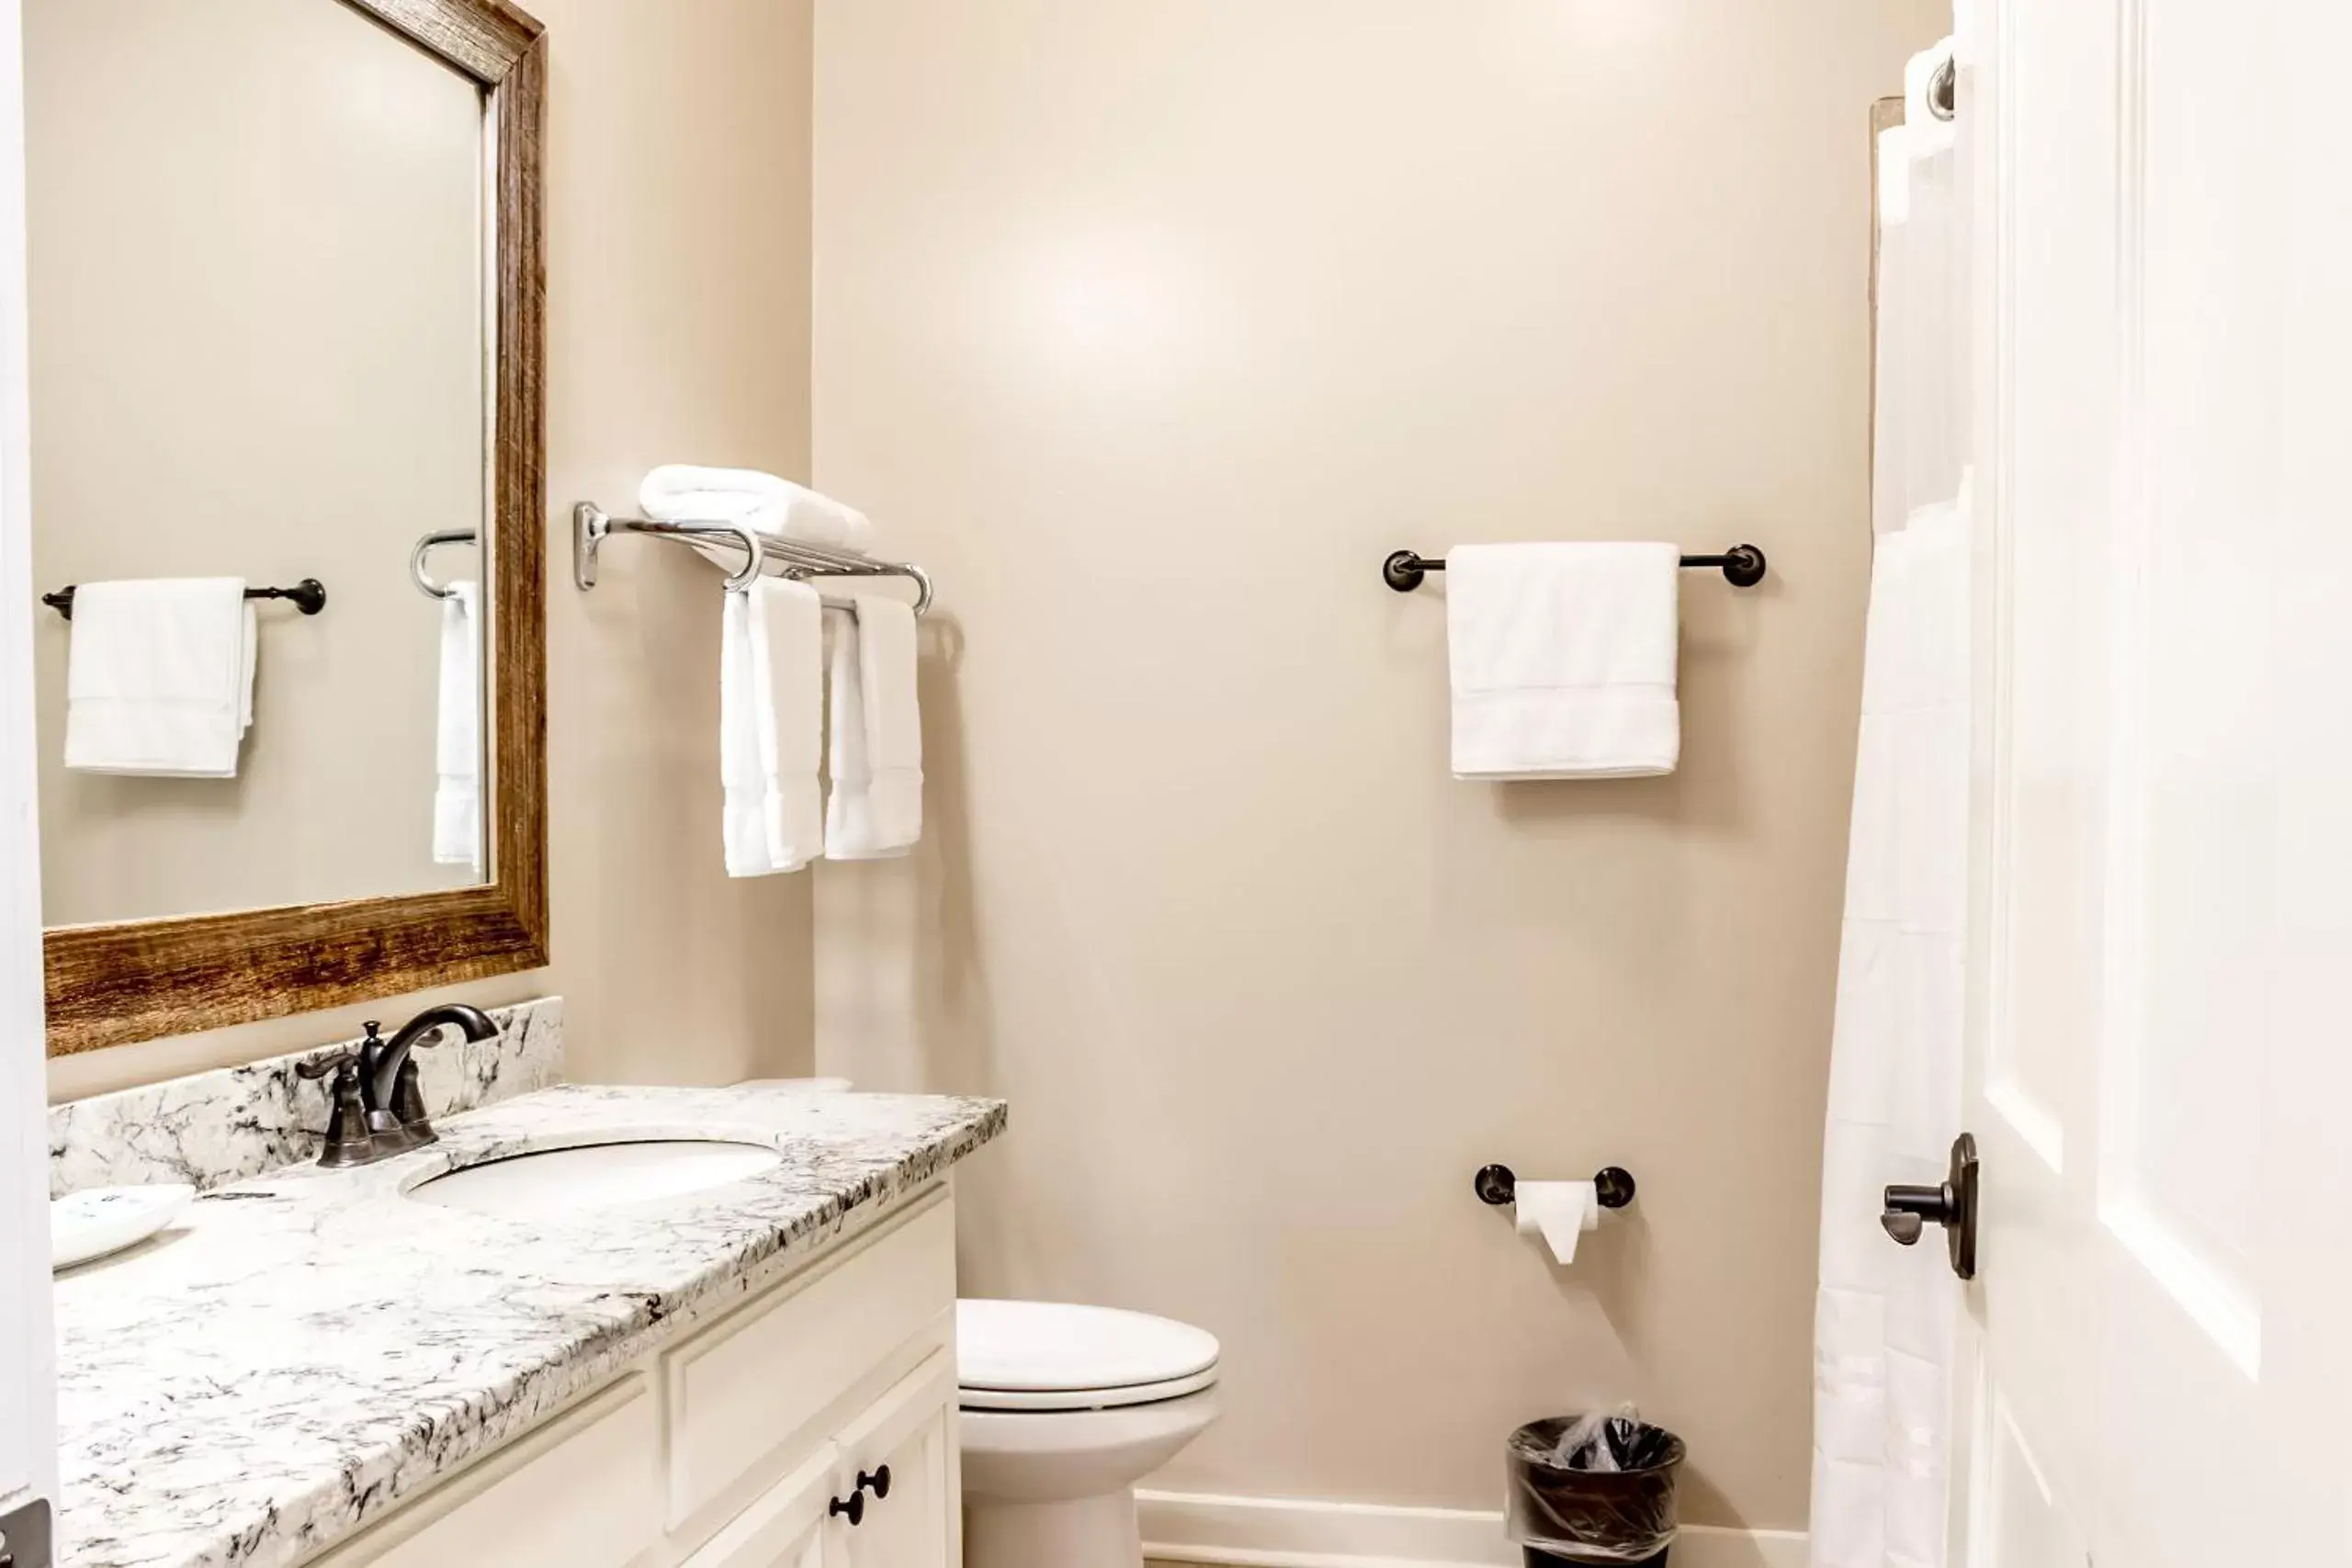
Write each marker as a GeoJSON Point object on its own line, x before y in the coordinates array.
{"type": "Point", "coordinates": [27, 1348]}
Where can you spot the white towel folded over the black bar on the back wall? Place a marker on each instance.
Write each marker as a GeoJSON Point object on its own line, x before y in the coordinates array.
{"type": "Point", "coordinates": [1563, 662]}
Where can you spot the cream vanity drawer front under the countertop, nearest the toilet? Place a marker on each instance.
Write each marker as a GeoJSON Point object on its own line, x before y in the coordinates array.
{"type": "Point", "coordinates": [759, 1379]}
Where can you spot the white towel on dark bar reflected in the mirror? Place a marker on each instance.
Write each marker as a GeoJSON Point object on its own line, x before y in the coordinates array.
{"type": "Point", "coordinates": [161, 678]}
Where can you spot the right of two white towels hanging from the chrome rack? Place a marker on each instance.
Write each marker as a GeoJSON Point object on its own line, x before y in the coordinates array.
{"type": "Point", "coordinates": [876, 805]}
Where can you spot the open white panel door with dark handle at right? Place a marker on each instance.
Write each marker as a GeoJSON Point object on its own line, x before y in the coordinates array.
{"type": "Point", "coordinates": [2163, 890]}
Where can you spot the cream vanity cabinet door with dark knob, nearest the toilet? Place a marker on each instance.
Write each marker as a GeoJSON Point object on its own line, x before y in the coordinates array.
{"type": "Point", "coordinates": [902, 1459]}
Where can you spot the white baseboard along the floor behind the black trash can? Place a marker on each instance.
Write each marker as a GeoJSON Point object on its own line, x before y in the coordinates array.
{"type": "Point", "coordinates": [1304, 1534]}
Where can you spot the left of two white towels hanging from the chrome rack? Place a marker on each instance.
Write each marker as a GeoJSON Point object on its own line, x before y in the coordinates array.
{"type": "Point", "coordinates": [773, 659]}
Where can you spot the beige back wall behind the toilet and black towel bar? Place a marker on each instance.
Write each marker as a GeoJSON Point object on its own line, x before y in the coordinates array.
{"type": "Point", "coordinates": [1151, 328]}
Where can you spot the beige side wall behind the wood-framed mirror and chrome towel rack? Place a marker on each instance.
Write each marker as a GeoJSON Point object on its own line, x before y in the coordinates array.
{"type": "Point", "coordinates": [679, 293]}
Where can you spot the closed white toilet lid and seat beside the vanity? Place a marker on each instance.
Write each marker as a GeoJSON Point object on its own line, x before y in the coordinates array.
{"type": "Point", "coordinates": [1053, 1355]}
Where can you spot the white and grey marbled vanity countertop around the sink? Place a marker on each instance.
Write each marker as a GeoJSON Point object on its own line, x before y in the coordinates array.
{"type": "Point", "coordinates": [309, 1348]}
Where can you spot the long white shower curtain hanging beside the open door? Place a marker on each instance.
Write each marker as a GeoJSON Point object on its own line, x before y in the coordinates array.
{"type": "Point", "coordinates": [1885, 1315]}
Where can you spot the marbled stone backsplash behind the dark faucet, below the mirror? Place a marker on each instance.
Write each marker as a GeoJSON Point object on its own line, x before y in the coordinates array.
{"type": "Point", "coordinates": [236, 1123]}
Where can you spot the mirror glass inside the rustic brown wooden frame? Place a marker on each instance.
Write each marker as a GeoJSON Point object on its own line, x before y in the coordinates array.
{"type": "Point", "coordinates": [258, 368]}
